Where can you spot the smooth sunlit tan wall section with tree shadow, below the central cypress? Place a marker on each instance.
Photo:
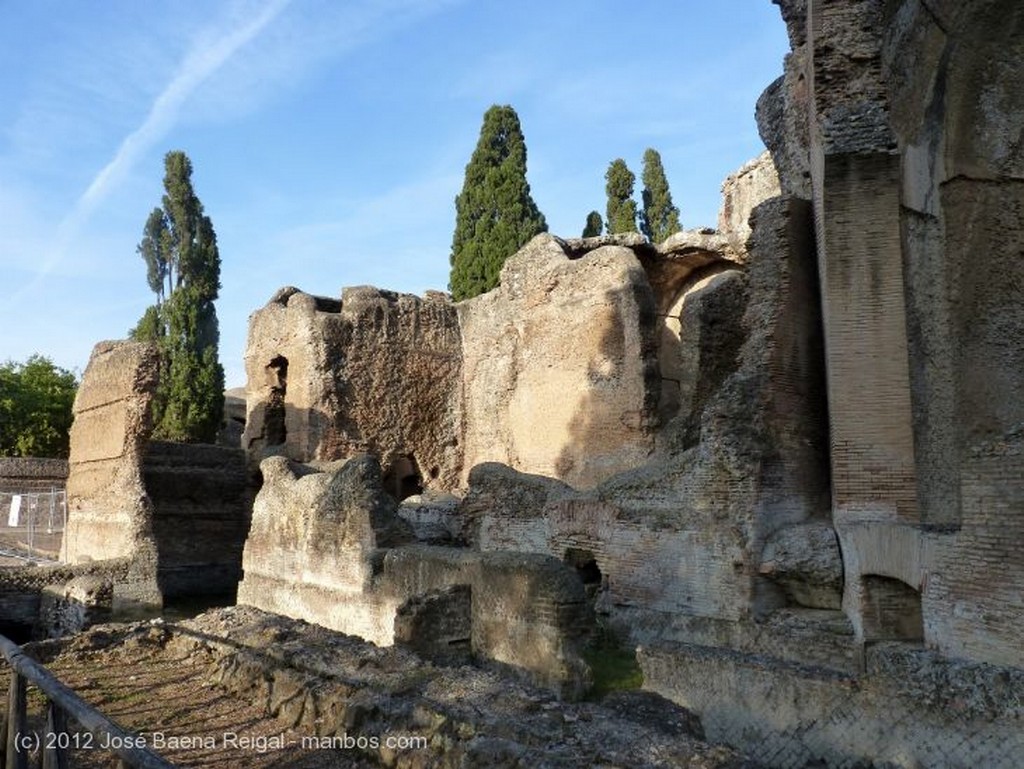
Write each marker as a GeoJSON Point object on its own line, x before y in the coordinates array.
{"type": "Point", "coordinates": [560, 365]}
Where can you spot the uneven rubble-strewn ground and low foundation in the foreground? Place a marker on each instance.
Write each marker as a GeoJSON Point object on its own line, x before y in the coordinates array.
{"type": "Point", "coordinates": [321, 685]}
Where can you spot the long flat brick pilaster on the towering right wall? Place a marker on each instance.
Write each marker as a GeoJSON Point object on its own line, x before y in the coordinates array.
{"type": "Point", "coordinates": [861, 265]}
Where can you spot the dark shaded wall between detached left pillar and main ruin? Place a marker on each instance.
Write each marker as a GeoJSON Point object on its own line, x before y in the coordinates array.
{"type": "Point", "coordinates": [201, 516]}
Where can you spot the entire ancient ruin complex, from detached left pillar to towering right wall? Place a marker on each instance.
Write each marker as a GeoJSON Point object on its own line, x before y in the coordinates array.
{"type": "Point", "coordinates": [784, 460]}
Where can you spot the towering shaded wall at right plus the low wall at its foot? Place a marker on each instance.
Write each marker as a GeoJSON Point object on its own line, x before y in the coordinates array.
{"type": "Point", "coordinates": [900, 123]}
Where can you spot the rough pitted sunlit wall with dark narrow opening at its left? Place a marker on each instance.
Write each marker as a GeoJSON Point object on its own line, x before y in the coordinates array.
{"type": "Point", "coordinates": [377, 372]}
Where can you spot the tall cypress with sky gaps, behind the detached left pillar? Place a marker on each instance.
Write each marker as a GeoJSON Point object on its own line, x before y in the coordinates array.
{"type": "Point", "coordinates": [180, 248]}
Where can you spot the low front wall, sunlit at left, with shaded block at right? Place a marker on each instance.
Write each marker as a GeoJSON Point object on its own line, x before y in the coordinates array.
{"type": "Point", "coordinates": [327, 546]}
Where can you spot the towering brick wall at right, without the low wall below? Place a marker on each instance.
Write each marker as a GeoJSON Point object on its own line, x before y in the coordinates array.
{"type": "Point", "coordinates": [914, 113]}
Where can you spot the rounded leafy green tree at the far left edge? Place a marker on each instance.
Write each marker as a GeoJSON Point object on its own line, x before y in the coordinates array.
{"type": "Point", "coordinates": [36, 400]}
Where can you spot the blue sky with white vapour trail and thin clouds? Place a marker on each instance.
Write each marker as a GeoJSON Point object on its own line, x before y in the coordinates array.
{"type": "Point", "coordinates": [329, 138]}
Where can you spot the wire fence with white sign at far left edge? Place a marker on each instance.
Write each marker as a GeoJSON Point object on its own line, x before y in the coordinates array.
{"type": "Point", "coordinates": [32, 524]}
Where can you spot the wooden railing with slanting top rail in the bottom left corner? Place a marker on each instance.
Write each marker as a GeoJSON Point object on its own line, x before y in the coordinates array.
{"type": "Point", "coordinates": [56, 742]}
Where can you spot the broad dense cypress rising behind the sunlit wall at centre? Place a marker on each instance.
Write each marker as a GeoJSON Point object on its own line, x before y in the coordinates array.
{"type": "Point", "coordinates": [495, 213]}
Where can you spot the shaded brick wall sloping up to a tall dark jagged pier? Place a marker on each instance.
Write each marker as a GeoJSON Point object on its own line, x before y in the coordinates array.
{"type": "Point", "coordinates": [681, 536]}
